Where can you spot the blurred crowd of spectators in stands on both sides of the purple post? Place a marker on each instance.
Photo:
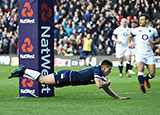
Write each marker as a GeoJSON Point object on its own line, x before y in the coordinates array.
{"type": "Point", "coordinates": [74, 19]}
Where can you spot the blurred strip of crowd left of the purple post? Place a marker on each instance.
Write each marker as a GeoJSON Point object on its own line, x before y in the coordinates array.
{"type": "Point", "coordinates": [8, 26]}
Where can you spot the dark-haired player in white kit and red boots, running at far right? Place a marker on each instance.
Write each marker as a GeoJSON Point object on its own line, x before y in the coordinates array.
{"type": "Point", "coordinates": [145, 38]}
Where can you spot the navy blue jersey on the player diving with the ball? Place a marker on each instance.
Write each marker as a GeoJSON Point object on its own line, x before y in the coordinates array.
{"type": "Point", "coordinates": [86, 76]}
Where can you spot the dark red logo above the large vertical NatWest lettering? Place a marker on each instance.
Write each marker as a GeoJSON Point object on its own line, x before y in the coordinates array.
{"type": "Point", "coordinates": [46, 12]}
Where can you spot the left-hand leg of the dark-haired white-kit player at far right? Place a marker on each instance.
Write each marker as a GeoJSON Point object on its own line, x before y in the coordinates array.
{"type": "Point", "coordinates": [140, 67]}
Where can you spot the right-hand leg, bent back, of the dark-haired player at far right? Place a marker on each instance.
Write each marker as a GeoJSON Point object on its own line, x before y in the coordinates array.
{"type": "Point", "coordinates": [150, 75]}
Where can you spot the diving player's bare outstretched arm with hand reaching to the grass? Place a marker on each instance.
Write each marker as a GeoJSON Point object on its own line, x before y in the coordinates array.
{"type": "Point", "coordinates": [113, 94]}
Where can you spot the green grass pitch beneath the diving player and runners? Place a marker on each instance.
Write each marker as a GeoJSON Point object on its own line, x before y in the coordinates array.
{"type": "Point", "coordinates": [82, 100]}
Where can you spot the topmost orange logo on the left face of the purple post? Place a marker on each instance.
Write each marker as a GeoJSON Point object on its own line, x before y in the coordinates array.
{"type": "Point", "coordinates": [27, 11]}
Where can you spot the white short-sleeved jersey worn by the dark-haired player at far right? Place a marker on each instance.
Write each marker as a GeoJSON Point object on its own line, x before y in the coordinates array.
{"type": "Point", "coordinates": [142, 38]}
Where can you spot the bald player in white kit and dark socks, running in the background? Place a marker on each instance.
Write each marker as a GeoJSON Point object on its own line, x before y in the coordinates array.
{"type": "Point", "coordinates": [120, 36]}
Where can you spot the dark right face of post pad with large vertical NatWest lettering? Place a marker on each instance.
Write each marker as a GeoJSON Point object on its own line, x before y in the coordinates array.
{"type": "Point", "coordinates": [46, 26]}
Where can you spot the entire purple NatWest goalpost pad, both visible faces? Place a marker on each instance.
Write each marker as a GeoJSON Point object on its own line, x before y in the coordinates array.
{"type": "Point", "coordinates": [36, 44]}
